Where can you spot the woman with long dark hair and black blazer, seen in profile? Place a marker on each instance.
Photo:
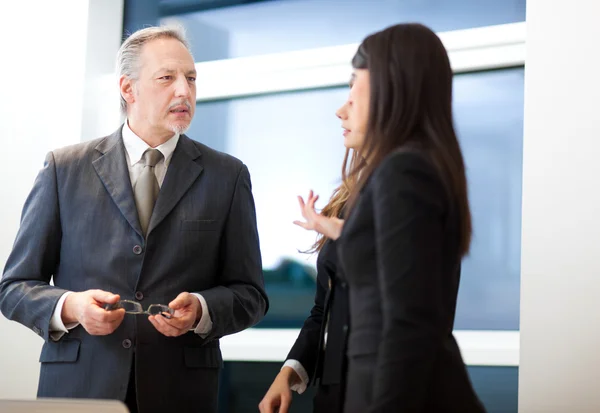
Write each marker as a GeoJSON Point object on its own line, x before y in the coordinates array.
{"type": "Point", "coordinates": [407, 228]}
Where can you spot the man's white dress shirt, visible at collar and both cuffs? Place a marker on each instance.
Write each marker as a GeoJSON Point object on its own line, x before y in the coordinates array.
{"type": "Point", "coordinates": [134, 149]}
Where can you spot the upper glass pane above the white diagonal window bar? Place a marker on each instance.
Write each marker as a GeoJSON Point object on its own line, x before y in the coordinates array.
{"type": "Point", "coordinates": [280, 26]}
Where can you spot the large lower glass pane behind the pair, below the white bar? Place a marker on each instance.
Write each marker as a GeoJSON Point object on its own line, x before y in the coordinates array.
{"type": "Point", "coordinates": [292, 142]}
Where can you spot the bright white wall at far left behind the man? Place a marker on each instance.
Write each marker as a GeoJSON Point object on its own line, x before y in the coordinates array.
{"type": "Point", "coordinates": [44, 78]}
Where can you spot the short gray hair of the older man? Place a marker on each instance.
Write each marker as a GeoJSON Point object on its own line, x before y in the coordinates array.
{"type": "Point", "coordinates": [129, 54]}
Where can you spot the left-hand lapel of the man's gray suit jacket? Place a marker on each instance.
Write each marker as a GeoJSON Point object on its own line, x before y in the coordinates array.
{"type": "Point", "coordinates": [112, 169]}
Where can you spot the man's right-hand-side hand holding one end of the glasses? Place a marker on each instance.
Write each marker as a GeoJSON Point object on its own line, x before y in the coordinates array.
{"type": "Point", "coordinates": [188, 312]}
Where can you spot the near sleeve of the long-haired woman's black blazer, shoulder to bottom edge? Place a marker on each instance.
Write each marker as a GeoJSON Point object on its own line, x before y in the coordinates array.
{"type": "Point", "coordinates": [408, 206]}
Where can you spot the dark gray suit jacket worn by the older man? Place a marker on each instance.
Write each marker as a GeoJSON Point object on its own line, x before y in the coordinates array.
{"type": "Point", "coordinates": [80, 228]}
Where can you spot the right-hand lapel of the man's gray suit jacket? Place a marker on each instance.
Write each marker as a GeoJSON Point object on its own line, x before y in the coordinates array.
{"type": "Point", "coordinates": [181, 174]}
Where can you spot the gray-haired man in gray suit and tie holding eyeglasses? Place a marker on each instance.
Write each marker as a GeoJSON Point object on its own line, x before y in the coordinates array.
{"type": "Point", "coordinates": [145, 215]}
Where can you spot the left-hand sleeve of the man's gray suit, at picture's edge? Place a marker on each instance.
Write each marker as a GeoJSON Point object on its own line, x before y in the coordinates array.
{"type": "Point", "coordinates": [25, 293]}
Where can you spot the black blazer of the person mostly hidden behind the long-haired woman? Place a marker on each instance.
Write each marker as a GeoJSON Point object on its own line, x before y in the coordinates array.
{"type": "Point", "coordinates": [326, 366]}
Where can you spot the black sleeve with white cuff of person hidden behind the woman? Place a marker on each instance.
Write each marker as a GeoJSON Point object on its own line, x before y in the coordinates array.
{"type": "Point", "coordinates": [306, 347]}
